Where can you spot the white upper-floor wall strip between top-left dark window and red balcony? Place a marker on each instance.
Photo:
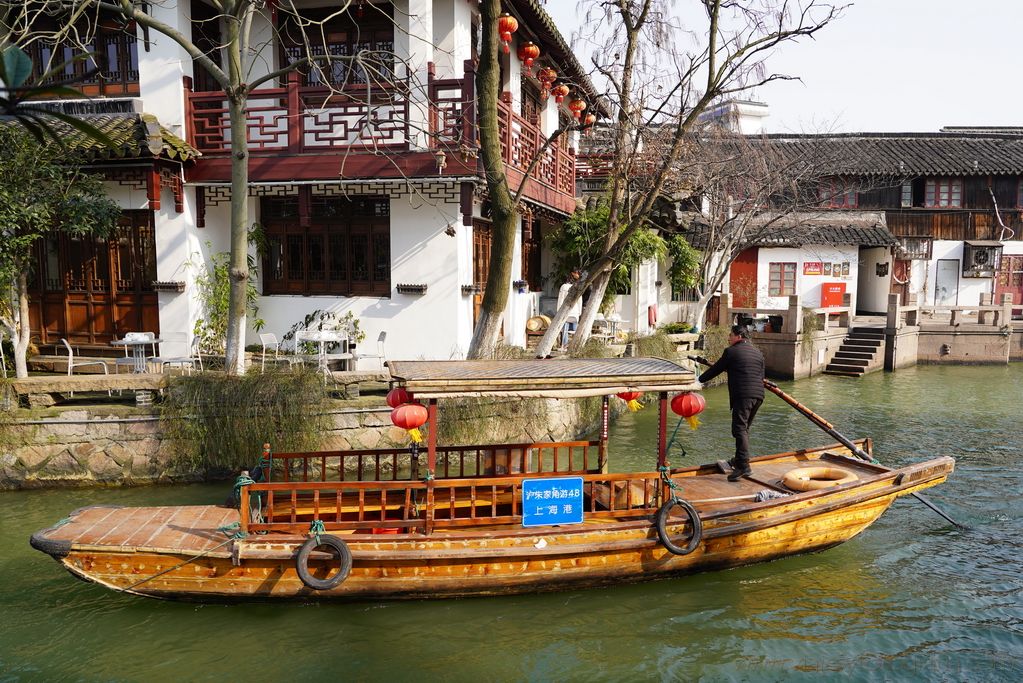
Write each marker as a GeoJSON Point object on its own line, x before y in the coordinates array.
{"type": "Point", "coordinates": [162, 68]}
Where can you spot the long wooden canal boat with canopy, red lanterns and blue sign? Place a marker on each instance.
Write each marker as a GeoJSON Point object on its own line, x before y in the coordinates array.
{"type": "Point", "coordinates": [462, 521]}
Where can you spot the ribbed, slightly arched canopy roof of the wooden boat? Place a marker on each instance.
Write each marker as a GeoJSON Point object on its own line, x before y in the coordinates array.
{"type": "Point", "coordinates": [566, 379]}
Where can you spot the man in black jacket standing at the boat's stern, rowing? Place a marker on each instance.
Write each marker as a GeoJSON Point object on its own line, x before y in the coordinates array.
{"type": "Point", "coordinates": [745, 366]}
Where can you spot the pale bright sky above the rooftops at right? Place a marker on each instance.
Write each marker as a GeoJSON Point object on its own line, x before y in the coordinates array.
{"type": "Point", "coordinates": [893, 66]}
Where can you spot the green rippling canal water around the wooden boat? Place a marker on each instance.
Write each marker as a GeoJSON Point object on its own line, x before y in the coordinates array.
{"type": "Point", "coordinates": [909, 600]}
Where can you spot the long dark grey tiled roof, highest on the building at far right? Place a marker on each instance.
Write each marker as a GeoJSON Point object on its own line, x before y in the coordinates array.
{"type": "Point", "coordinates": [952, 154]}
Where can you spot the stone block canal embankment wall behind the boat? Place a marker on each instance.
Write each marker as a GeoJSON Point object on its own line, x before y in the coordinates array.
{"type": "Point", "coordinates": [120, 446]}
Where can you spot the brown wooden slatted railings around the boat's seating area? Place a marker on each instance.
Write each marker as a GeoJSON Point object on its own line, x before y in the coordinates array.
{"type": "Point", "coordinates": [377, 490]}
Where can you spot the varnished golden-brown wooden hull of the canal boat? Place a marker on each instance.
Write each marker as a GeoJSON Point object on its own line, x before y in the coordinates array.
{"type": "Point", "coordinates": [477, 563]}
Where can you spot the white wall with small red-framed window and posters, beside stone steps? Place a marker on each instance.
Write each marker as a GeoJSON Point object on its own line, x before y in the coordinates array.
{"type": "Point", "coordinates": [808, 287]}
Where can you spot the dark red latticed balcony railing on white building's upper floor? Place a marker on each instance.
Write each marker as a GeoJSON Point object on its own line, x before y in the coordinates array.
{"type": "Point", "coordinates": [299, 132]}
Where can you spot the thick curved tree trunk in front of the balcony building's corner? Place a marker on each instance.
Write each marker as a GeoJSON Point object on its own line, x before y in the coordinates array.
{"type": "Point", "coordinates": [496, 299]}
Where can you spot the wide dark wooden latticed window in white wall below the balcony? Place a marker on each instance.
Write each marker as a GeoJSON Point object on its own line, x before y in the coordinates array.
{"type": "Point", "coordinates": [328, 246]}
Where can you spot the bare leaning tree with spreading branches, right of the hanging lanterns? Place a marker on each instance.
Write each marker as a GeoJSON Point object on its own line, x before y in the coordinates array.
{"type": "Point", "coordinates": [659, 84]}
